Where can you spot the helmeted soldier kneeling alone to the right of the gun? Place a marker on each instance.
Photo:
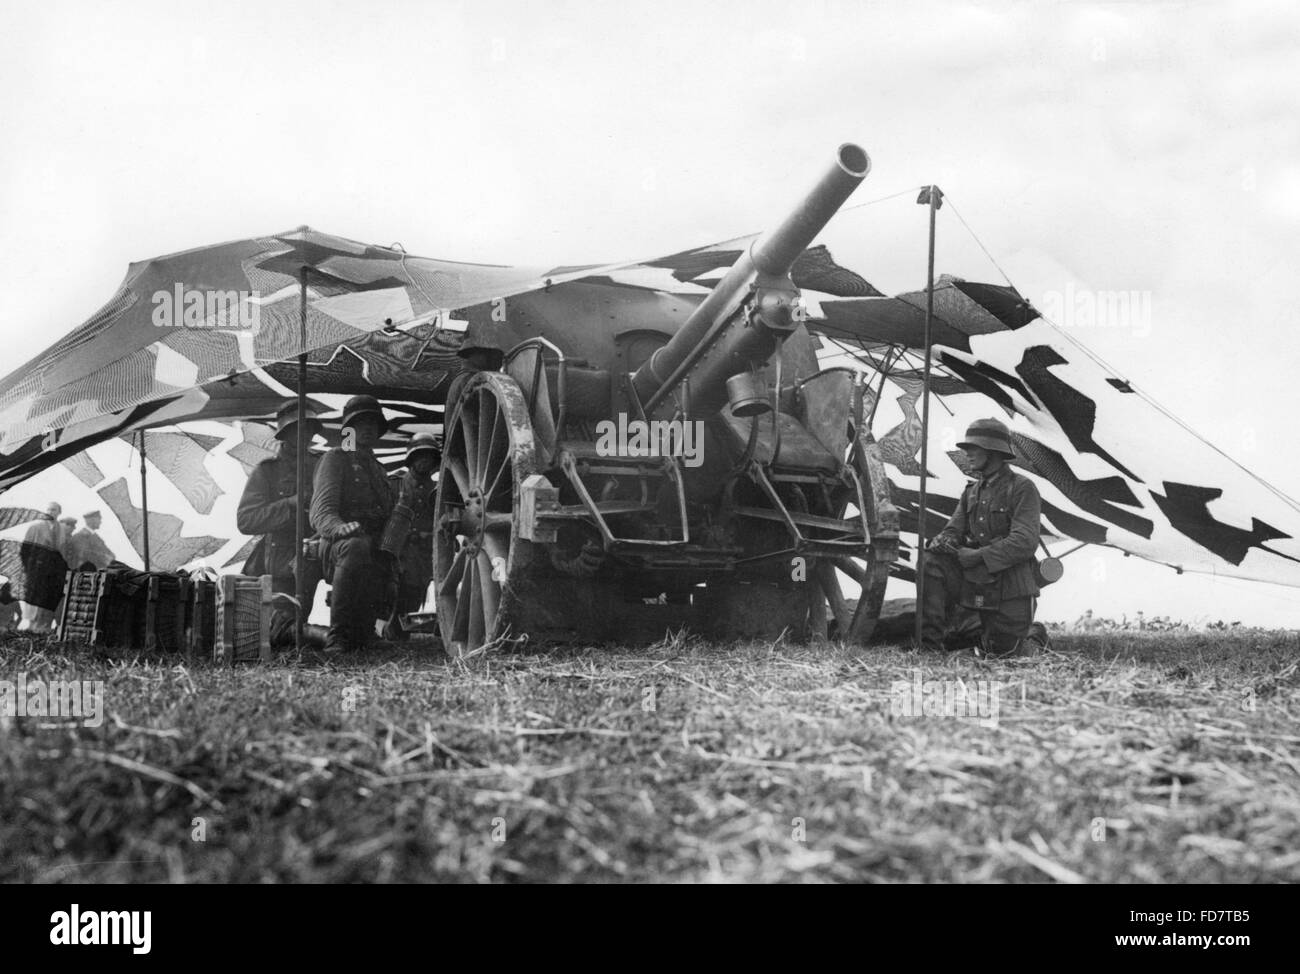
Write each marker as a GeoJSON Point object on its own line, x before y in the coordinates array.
{"type": "Point", "coordinates": [983, 560]}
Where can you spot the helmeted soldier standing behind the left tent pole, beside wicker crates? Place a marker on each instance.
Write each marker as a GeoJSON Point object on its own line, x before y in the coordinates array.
{"type": "Point", "coordinates": [270, 508]}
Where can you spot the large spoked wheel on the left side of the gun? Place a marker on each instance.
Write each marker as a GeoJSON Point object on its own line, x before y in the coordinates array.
{"type": "Point", "coordinates": [488, 451]}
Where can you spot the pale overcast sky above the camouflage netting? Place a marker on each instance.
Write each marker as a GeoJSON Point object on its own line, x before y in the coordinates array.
{"type": "Point", "coordinates": [1150, 148]}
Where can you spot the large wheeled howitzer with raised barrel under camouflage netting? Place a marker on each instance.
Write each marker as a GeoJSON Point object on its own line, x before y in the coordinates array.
{"type": "Point", "coordinates": [551, 527]}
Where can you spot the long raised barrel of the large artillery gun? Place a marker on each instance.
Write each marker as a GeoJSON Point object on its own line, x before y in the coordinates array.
{"type": "Point", "coordinates": [730, 332]}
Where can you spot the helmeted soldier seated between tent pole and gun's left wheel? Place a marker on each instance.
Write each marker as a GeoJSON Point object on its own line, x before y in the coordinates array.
{"type": "Point", "coordinates": [350, 507]}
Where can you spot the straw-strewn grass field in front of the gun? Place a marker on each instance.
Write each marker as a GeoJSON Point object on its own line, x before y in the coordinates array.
{"type": "Point", "coordinates": [1115, 759]}
